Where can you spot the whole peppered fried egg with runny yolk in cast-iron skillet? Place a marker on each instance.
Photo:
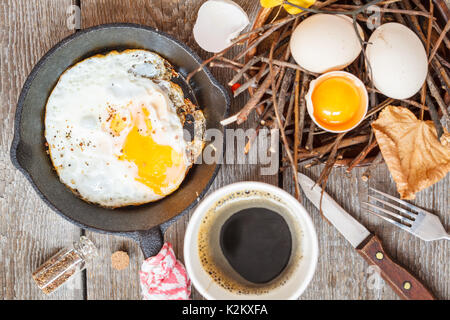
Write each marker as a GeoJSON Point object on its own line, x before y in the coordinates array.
{"type": "Point", "coordinates": [115, 130]}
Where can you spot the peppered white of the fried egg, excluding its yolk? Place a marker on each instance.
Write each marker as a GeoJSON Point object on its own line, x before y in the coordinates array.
{"type": "Point", "coordinates": [84, 150]}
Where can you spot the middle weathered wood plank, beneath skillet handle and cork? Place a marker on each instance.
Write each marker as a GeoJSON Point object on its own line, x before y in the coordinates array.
{"type": "Point", "coordinates": [176, 18]}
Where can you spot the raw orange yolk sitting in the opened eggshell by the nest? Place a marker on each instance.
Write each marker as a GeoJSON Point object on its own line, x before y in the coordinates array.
{"type": "Point", "coordinates": [336, 101]}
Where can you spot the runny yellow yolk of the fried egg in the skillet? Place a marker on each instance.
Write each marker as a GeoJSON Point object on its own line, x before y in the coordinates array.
{"type": "Point", "coordinates": [159, 166]}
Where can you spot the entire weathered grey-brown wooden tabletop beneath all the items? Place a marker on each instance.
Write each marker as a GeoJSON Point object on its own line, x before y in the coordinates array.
{"type": "Point", "coordinates": [30, 232]}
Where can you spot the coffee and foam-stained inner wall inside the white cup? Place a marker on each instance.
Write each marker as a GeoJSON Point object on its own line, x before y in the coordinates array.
{"type": "Point", "coordinates": [249, 243]}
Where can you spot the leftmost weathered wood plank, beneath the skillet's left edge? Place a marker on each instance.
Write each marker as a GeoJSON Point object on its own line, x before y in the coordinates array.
{"type": "Point", "coordinates": [29, 231]}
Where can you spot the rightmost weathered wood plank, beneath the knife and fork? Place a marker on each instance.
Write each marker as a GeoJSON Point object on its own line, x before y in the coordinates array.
{"type": "Point", "coordinates": [341, 272]}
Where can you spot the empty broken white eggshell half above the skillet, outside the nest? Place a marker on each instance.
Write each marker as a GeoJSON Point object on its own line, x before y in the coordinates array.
{"type": "Point", "coordinates": [218, 22]}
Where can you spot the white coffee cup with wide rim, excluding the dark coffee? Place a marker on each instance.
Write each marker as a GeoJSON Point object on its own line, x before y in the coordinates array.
{"type": "Point", "coordinates": [301, 267]}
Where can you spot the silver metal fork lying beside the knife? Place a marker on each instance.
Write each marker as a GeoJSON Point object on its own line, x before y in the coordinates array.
{"type": "Point", "coordinates": [419, 222]}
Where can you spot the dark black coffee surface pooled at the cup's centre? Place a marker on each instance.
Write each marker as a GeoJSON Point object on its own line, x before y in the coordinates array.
{"type": "Point", "coordinates": [257, 243]}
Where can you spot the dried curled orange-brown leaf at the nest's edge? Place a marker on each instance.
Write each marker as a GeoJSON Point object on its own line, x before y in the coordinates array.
{"type": "Point", "coordinates": [411, 149]}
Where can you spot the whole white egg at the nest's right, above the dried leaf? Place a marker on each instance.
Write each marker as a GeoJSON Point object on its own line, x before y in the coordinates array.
{"type": "Point", "coordinates": [398, 60]}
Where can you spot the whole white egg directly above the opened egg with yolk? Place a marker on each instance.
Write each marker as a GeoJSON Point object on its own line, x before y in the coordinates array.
{"type": "Point", "coordinates": [325, 42]}
